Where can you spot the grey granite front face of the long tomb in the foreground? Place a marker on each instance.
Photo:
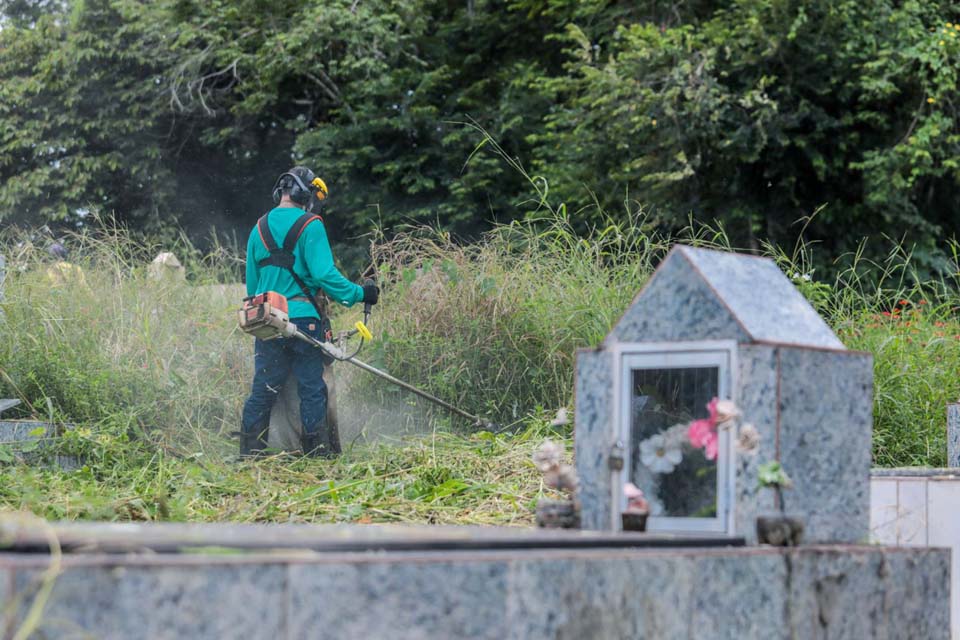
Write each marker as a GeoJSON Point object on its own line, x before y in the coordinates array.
{"type": "Point", "coordinates": [810, 592]}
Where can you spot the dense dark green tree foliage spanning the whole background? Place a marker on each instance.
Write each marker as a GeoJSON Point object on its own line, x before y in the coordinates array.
{"type": "Point", "coordinates": [751, 113]}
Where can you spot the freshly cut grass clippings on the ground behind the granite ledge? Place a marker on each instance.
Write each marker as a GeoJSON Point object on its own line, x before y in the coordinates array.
{"type": "Point", "coordinates": [445, 478]}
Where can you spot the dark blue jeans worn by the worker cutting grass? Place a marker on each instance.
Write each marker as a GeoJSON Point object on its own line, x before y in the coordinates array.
{"type": "Point", "coordinates": [273, 361]}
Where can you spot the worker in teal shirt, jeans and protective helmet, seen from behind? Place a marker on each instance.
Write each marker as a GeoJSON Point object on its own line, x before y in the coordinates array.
{"type": "Point", "coordinates": [288, 252]}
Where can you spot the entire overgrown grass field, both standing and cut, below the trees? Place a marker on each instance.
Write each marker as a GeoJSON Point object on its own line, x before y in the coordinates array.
{"type": "Point", "coordinates": [153, 373]}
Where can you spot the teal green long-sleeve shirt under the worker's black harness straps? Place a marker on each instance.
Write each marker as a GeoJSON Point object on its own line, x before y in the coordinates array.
{"type": "Point", "coordinates": [314, 264]}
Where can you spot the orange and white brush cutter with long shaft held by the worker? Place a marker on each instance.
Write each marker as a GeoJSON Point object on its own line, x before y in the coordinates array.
{"type": "Point", "coordinates": [265, 316]}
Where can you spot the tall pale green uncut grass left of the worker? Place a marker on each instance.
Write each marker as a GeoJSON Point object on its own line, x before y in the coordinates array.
{"type": "Point", "coordinates": [107, 343]}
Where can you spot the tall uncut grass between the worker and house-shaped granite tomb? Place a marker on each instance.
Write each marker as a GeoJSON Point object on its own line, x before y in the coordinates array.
{"type": "Point", "coordinates": [494, 325]}
